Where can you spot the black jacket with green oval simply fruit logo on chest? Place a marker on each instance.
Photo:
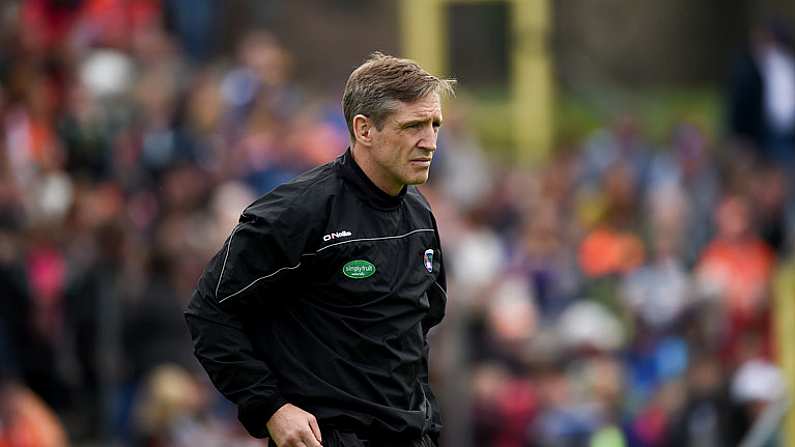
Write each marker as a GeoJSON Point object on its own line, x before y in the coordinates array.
{"type": "Point", "coordinates": [323, 296]}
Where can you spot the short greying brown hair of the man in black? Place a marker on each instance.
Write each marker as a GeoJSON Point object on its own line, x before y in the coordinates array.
{"type": "Point", "coordinates": [375, 88]}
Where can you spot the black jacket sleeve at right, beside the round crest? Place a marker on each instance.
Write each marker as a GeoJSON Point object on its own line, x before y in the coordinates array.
{"type": "Point", "coordinates": [437, 297]}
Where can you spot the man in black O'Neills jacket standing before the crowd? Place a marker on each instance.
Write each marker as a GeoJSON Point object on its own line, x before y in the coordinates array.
{"type": "Point", "coordinates": [314, 315]}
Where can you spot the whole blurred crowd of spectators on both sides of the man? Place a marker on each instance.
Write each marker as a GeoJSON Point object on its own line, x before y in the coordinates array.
{"type": "Point", "coordinates": [620, 294]}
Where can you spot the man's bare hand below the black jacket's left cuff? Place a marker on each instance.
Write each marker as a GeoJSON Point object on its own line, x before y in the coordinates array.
{"type": "Point", "coordinates": [291, 426]}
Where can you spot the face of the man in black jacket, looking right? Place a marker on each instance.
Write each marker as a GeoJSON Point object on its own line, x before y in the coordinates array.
{"type": "Point", "coordinates": [402, 150]}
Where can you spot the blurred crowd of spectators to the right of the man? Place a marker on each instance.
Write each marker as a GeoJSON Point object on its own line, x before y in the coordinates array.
{"type": "Point", "coordinates": [624, 292]}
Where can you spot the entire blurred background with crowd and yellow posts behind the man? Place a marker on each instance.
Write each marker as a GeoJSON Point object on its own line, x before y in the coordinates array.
{"type": "Point", "coordinates": [614, 189]}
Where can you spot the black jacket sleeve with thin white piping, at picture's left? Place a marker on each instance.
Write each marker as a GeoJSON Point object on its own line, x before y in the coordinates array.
{"type": "Point", "coordinates": [264, 248]}
